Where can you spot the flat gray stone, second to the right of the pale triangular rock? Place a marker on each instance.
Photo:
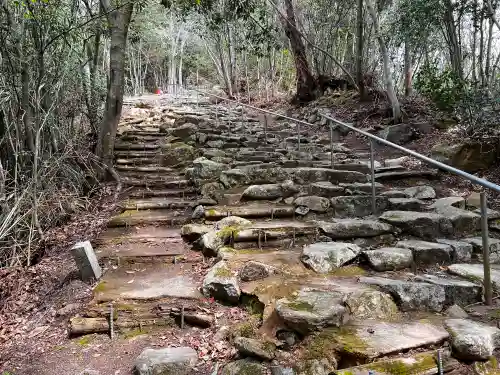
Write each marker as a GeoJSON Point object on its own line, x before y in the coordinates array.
{"type": "Point", "coordinates": [428, 253]}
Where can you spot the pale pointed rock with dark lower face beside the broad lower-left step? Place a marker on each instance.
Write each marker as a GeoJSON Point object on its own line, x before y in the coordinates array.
{"type": "Point", "coordinates": [221, 284]}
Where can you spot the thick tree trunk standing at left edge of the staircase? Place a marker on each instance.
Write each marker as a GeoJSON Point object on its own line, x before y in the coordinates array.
{"type": "Point", "coordinates": [119, 21]}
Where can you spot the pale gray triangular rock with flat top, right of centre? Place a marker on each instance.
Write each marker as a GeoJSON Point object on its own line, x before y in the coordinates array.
{"type": "Point", "coordinates": [323, 257]}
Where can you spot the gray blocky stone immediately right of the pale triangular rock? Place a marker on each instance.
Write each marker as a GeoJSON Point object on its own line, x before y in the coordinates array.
{"type": "Point", "coordinates": [389, 258]}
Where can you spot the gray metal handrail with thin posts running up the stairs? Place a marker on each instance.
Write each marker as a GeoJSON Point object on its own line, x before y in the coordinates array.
{"type": "Point", "coordinates": [373, 139]}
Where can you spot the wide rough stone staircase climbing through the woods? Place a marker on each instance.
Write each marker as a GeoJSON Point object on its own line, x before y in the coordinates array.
{"type": "Point", "coordinates": [337, 288]}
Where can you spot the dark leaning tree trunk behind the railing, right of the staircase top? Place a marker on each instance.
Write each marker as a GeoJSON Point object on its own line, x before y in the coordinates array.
{"type": "Point", "coordinates": [306, 85]}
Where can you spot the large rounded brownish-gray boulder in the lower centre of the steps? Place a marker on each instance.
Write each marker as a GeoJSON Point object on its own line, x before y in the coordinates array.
{"type": "Point", "coordinates": [312, 309]}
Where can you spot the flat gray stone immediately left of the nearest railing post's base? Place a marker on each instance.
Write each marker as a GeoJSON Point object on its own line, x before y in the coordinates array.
{"type": "Point", "coordinates": [458, 292]}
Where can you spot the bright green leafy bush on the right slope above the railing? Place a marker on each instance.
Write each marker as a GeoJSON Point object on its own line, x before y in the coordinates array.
{"type": "Point", "coordinates": [443, 88]}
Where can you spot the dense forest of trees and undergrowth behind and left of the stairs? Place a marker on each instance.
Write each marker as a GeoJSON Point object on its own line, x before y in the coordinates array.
{"type": "Point", "coordinates": [66, 64]}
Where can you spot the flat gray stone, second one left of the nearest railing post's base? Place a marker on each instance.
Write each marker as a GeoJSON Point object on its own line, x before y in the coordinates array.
{"type": "Point", "coordinates": [411, 295]}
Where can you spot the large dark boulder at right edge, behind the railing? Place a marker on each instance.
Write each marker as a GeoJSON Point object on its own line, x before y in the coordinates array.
{"type": "Point", "coordinates": [469, 156]}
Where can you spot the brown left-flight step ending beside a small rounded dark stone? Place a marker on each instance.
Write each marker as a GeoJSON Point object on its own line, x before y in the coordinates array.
{"type": "Point", "coordinates": [153, 217]}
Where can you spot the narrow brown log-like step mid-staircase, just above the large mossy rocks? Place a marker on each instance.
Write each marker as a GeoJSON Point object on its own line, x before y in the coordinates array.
{"type": "Point", "coordinates": [250, 211]}
